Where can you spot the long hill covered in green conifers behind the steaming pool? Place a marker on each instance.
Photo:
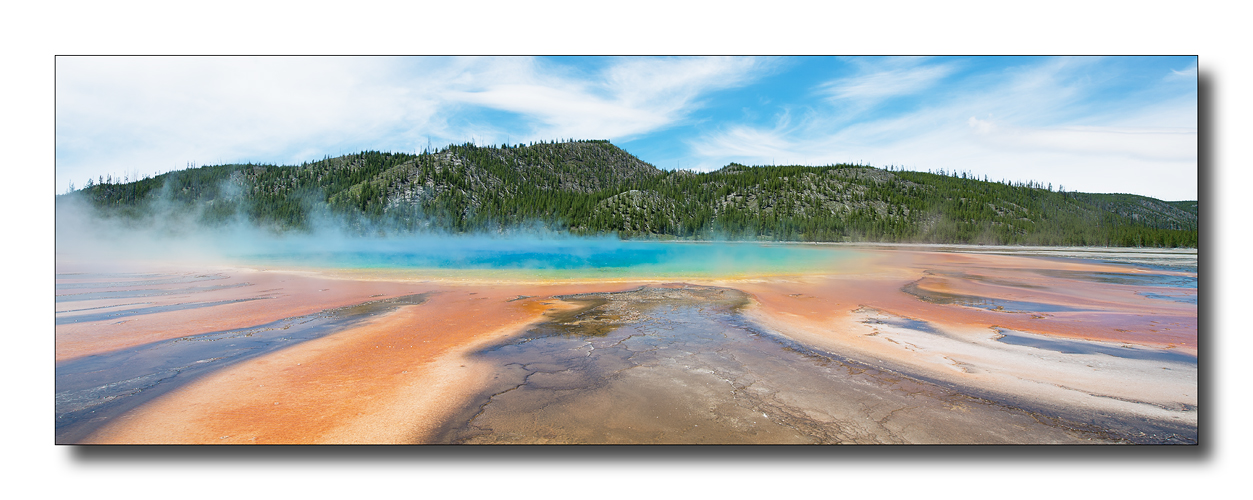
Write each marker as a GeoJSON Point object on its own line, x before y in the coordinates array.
{"type": "Point", "coordinates": [592, 187]}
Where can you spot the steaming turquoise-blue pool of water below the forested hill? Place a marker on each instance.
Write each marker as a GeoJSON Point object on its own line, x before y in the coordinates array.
{"type": "Point", "coordinates": [607, 258]}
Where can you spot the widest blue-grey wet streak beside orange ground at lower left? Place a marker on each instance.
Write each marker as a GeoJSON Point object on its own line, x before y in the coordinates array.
{"type": "Point", "coordinates": [92, 390]}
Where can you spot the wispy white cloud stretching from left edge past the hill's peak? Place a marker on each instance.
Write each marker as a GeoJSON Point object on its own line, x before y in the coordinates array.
{"type": "Point", "coordinates": [148, 115]}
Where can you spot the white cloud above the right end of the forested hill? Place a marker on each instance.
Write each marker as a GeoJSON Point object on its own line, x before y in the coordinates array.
{"type": "Point", "coordinates": [1029, 125]}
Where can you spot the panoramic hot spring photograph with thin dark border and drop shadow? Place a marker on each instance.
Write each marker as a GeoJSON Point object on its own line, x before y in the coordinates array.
{"type": "Point", "coordinates": [627, 250]}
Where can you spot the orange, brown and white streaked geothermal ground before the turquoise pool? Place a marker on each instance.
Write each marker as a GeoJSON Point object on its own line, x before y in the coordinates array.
{"type": "Point", "coordinates": [897, 345]}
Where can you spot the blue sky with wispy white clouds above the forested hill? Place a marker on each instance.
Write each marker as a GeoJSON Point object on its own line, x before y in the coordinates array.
{"type": "Point", "coordinates": [1107, 125]}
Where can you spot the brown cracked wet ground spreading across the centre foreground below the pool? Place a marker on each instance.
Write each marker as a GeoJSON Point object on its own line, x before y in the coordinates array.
{"type": "Point", "coordinates": [680, 365]}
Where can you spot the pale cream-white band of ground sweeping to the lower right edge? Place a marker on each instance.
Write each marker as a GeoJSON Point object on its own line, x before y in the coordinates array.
{"type": "Point", "coordinates": [1062, 364]}
